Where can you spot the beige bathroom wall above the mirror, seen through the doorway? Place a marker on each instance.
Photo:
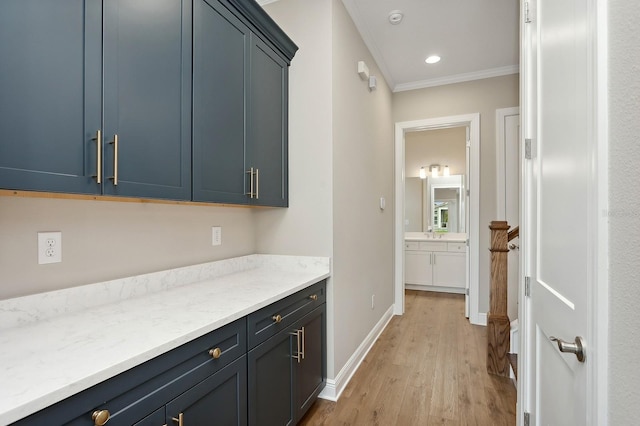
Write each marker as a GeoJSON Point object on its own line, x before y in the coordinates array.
{"type": "Point", "coordinates": [440, 146]}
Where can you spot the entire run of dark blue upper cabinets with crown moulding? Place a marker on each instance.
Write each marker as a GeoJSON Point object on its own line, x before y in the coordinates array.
{"type": "Point", "coordinates": [175, 99]}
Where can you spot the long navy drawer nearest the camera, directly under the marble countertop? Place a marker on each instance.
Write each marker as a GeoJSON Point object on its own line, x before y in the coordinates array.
{"type": "Point", "coordinates": [138, 392]}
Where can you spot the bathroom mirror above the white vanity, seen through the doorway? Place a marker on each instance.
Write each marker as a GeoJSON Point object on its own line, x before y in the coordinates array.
{"type": "Point", "coordinates": [434, 204]}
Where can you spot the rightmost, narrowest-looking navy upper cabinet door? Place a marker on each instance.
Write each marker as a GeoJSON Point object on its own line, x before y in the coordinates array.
{"type": "Point", "coordinates": [267, 142]}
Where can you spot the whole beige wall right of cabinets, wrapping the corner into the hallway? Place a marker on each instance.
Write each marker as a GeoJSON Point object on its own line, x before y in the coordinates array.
{"type": "Point", "coordinates": [341, 150]}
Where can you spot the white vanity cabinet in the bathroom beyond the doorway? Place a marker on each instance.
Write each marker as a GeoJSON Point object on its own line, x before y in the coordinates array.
{"type": "Point", "coordinates": [435, 265]}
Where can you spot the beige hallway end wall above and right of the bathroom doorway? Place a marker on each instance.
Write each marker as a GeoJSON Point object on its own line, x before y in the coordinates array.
{"type": "Point", "coordinates": [483, 96]}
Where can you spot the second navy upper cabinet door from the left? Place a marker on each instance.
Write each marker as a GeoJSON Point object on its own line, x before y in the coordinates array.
{"type": "Point", "coordinates": [147, 98]}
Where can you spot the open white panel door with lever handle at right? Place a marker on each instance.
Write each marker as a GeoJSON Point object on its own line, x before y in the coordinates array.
{"type": "Point", "coordinates": [559, 206]}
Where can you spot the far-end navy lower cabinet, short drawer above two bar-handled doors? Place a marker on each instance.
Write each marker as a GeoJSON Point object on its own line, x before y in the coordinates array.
{"type": "Point", "coordinates": [287, 357]}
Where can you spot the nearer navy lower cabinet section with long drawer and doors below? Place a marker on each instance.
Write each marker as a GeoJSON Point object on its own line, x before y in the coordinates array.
{"type": "Point", "coordinates": [206, 374]}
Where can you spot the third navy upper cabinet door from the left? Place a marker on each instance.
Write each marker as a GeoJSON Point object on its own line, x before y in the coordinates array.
{"type": "Point", "coordinates": [220, 75]}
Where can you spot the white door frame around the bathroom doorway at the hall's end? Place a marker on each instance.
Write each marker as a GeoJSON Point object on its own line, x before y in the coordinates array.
{"type": "Point", "coordinates": [472, 121]}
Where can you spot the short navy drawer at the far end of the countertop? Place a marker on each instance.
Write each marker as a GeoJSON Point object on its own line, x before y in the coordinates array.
{"type": "Point", "coordinates": [262, 324]}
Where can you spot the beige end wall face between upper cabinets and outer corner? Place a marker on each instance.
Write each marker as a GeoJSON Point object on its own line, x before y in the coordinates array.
{"type": "Point", "coordinates": [305, 228]}
